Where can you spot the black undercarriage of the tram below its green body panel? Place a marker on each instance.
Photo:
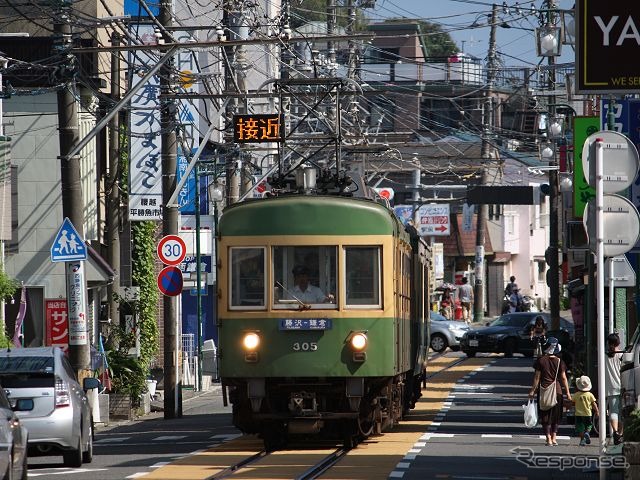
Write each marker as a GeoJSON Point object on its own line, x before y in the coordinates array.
{"type": "Point", "coordinates": [350, 409]}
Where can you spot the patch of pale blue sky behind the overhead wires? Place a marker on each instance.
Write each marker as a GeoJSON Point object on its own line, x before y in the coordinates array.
{"type": "Point", "coordinates": [516, 44]}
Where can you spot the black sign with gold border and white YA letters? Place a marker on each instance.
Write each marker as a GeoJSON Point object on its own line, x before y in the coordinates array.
{"type": "Point", "coordinates": [607, 40]}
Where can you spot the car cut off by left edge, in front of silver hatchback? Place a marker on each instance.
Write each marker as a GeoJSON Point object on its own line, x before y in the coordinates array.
{"type": "Point", "coordinates": [13, 438]}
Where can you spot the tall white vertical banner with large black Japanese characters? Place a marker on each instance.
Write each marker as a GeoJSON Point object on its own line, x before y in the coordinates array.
{"type": "Point", "coordinates": [145, 167]}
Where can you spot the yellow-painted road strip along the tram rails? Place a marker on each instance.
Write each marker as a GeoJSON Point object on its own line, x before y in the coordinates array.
{"type": "Point", "coordinates": [372, 460]}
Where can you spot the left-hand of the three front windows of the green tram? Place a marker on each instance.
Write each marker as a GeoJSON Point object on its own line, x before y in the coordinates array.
{"type": "Point", "coordinates": [247, 277]}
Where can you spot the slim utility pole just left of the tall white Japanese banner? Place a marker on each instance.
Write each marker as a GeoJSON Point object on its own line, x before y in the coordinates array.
{"type": "Point", "coordinates": [113, 188]}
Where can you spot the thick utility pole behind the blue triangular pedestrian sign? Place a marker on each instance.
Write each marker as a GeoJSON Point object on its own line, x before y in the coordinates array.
{"type": "Point", "coordinates": [79, 353]}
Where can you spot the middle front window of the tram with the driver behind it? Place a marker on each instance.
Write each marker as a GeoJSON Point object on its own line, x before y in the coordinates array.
{"type": "Point", "coordinates": [305, 277]}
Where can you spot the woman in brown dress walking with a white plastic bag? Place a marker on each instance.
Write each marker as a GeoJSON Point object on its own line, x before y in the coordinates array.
{"type": "Point", "coordinates": [550, 369]}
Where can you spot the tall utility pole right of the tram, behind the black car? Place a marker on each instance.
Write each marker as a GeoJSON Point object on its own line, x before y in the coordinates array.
{"type": "Point", "coordinates": [478, 291]}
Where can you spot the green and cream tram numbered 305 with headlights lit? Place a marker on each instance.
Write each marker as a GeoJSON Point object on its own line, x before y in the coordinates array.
{"type": "Point", "coordinates": [344, 358]}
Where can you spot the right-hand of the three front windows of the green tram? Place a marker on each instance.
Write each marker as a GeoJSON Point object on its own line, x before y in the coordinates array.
{"type": "Point", "coordinates": [363, 276]}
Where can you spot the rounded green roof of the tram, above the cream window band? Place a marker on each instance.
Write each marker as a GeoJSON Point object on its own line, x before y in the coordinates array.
{"type": "Point", "coordinates": [309, 215]}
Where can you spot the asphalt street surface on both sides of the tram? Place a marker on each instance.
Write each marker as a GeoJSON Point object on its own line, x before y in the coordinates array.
{"type": "Point", "coordinates": [475, 431]}
